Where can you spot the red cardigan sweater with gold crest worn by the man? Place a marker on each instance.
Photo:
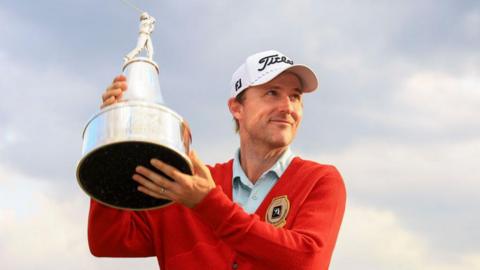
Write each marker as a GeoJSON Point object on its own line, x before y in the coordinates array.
{"type": "Point", "coordinates": [218, 234]}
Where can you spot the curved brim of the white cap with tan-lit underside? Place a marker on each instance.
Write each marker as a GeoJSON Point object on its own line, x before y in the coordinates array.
{"type": "Point", "coordinates": [307, 76]}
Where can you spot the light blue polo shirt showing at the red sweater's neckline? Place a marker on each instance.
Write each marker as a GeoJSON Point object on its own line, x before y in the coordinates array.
{"type": "Point", "coordinates": [248, 195]}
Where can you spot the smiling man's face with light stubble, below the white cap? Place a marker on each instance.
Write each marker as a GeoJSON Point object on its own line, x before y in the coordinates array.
{"type": "Point", "coordinates": [270, 113]}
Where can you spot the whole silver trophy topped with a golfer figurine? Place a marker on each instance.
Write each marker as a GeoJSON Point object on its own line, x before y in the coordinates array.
{"type": "Point", "coordinates": [132, 132]}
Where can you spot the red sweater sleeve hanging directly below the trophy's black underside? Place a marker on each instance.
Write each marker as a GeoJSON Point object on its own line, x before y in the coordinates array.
{"type": "Point", "coordinates": [118, 233]}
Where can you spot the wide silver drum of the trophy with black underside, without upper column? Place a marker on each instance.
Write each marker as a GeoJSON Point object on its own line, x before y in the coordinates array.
{"type": "Point", "coordinates": [123, 136]}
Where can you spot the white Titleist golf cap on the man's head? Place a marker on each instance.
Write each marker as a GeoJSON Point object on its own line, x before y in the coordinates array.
{"type": "Point", "coordinates": [264, 66]}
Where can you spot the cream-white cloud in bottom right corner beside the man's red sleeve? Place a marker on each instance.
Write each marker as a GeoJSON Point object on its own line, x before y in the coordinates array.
{"type": "Point", "coordinates": [374, 238]}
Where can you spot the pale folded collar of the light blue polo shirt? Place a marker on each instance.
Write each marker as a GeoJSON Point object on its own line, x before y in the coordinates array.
{"type": "Point", "coordinates": [277, 169]}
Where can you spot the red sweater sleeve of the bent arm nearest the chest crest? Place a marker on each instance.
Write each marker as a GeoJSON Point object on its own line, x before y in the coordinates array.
{"type": "Point", "coordinates": [307, 244]}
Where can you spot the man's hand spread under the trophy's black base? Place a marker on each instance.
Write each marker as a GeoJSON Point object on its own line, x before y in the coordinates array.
{"type": "Point", "coordinates": [185, 189]}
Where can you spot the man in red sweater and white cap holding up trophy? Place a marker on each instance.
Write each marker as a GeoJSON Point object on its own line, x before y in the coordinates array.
{"type": "Point", "coordinates": [265, 209]}
